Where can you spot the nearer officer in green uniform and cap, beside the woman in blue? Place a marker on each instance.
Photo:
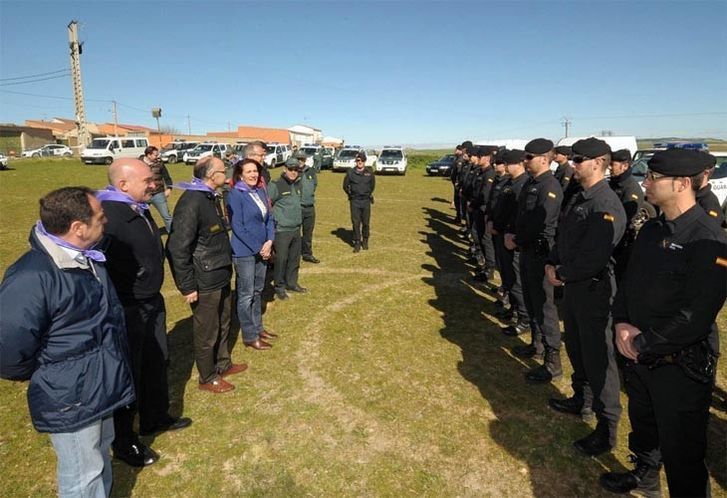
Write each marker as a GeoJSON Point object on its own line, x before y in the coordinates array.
{"type": "Point", "coordinates": [285, 195]}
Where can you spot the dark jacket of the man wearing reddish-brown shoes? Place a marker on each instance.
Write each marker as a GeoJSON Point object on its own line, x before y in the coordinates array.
{"type": "Point", "coordinates": [198, 248]}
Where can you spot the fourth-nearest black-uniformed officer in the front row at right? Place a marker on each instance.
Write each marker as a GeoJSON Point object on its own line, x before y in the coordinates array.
{"type": "Point", "coordinates": [504, 215]}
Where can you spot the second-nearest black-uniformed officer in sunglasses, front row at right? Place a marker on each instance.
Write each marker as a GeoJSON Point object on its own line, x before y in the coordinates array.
{"type": "Point", "coordinates": [592, 225]}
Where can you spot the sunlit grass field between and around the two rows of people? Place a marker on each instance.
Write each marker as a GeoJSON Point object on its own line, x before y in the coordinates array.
{"type": "Point", "coordinates": [390, 377]}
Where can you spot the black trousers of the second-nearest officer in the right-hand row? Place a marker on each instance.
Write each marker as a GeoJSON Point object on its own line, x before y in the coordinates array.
{"type": "Point", "coordinates": [589, 343]}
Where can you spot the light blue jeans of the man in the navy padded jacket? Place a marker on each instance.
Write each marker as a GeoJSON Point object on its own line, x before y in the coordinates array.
{"type": "Point", "coordinates": [84, 461]}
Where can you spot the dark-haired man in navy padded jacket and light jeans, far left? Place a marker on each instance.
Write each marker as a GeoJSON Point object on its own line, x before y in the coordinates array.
{"type": "Point", "coordinates": [63, 328]}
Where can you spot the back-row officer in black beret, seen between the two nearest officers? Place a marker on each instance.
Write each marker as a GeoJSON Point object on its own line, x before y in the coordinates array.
{"type": "Point", "coordinates": [632, 198]}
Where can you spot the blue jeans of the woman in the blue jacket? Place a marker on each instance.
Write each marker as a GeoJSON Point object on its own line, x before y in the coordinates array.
{"type": "Point", "coordinates": [250, 283]}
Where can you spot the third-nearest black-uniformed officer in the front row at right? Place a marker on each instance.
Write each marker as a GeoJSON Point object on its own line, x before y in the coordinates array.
{"type": "Point", "coordinates": [534, 233]}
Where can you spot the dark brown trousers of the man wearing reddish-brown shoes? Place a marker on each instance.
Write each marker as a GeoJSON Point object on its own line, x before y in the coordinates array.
{"type": "Point", "coordinates": [211, 329]}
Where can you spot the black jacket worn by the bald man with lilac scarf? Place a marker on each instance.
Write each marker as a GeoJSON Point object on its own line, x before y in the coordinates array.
{"type": "Point", "coordinates": [134, 253]}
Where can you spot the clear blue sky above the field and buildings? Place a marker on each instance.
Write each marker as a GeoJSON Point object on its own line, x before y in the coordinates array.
{"type": "Point", "coordinates": [378, 72]}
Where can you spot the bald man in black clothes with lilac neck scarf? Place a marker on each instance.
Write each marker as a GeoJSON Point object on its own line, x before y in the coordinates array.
{"type": "Point", "coordinates": [135, 262]}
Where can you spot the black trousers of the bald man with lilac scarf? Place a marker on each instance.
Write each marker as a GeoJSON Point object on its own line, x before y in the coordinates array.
{"type": "Point", "coordinates": [147, 335]}
